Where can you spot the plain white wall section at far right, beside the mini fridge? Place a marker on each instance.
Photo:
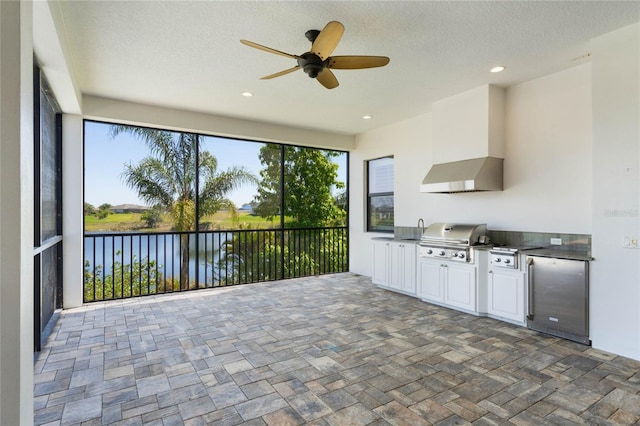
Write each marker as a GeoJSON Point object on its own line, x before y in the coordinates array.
{"type": "Point", "coordinates": [615, 275]}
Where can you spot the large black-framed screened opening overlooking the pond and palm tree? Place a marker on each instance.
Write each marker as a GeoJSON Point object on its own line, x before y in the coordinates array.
{"type": "Point", "coordinates": [171, 211]}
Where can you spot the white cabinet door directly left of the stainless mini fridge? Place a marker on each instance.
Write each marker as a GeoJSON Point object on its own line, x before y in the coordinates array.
{"type": "Point", "coordinates": [506, 295]}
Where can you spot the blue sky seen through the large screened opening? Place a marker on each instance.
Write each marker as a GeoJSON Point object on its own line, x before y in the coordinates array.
{"type": "Point", "coordinates": [105, 158]}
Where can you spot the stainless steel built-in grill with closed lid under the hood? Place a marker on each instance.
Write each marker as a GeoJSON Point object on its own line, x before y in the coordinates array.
{"type": "Point", "coordinates": [452, 241]}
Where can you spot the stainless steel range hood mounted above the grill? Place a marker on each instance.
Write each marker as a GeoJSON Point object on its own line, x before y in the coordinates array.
{"type": "Point", "coordinates": [477, 174]}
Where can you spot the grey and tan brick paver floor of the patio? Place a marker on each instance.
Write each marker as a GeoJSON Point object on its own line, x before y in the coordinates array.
{"type": "Point", "coordinates": [329, 350]}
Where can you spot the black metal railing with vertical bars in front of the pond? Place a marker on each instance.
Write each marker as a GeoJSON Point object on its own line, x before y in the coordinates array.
{"type": "Point", "coordinates": [122, 265]}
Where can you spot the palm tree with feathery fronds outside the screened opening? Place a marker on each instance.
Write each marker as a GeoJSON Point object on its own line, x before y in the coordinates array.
{"type": "Point", "coordinates": [168, 177]}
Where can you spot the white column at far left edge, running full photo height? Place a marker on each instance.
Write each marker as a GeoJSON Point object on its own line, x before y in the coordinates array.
{"type": "Point", "coordinates": [16, 213]}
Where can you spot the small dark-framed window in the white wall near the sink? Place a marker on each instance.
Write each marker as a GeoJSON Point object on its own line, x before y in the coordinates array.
{"type": "Point", "coordinates": [380, 195]}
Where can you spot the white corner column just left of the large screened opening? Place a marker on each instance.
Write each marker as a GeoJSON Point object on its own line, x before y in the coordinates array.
{"type": "Point", "coordinates": [72, 199]}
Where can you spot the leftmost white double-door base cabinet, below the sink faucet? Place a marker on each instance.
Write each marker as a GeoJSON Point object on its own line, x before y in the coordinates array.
{"type": "Point", "coordinates": [394, 265]}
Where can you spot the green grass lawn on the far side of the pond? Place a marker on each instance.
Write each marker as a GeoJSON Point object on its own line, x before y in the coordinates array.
{"type": "Point", "coordinates": [122, 222]}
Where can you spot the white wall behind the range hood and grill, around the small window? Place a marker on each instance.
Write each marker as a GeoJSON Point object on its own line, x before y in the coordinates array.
{"type": "Point", "coordinates": [547, 175]}
